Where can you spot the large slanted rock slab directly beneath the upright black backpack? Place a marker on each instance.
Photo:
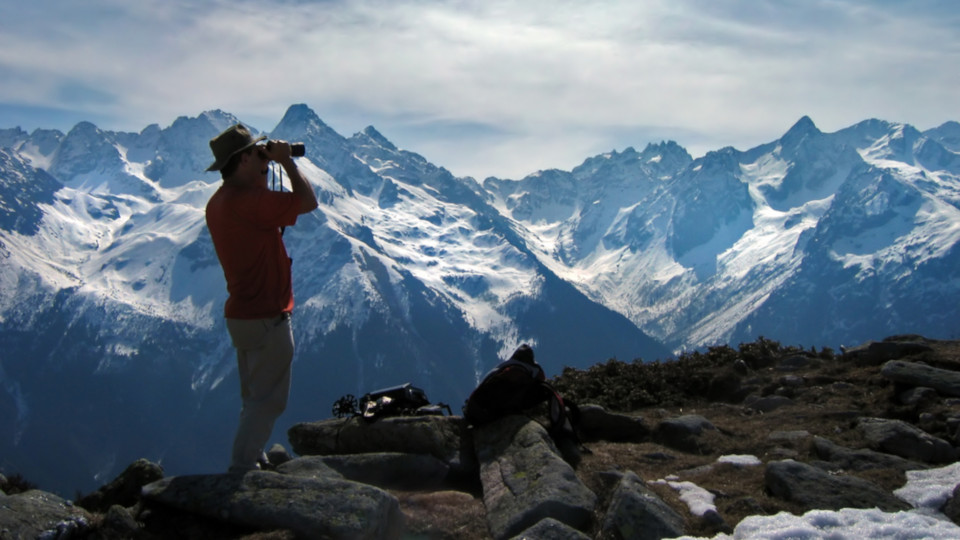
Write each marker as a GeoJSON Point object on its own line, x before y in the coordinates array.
{"type": "Point", "coordinates": [525, 480]}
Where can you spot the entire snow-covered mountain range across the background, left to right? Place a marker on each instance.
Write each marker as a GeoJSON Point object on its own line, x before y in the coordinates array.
{"type": "Point", "coordinates": [111, 296]}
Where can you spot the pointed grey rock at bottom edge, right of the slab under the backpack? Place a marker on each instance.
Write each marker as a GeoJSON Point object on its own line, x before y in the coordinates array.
{"type": "Point", "coordinates": [636, 512]}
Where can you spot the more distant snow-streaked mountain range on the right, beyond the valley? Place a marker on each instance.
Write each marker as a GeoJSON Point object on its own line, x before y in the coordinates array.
{"type": "Point", "coordinates": [818, 239]}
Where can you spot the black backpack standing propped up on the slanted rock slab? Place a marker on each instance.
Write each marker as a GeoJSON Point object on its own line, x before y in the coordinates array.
{"type": "Point", "coordinates": [515, 386]}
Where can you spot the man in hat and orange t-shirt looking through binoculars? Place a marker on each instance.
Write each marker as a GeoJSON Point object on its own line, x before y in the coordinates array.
{"type": "Point", "coordinates": [245, 219]}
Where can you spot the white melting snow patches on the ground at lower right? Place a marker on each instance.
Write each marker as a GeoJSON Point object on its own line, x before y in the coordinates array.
{"type": "Point", "coordinates": [925, 490]}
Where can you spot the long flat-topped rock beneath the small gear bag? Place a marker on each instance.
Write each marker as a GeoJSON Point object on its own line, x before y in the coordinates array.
{"type": "Point", "coordinates": [438, 436]}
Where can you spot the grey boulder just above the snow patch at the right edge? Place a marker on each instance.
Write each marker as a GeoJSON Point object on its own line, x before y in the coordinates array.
{"type": "Point", "coordinates": [902, 439]}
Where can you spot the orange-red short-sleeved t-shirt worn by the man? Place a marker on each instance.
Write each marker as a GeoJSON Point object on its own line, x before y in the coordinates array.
{"type": "Point", "coordinates": [245, 226]}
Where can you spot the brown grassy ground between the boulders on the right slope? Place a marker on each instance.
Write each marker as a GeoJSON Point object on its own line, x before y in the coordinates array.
{"type": "Point", "coordinates": [825, 398]}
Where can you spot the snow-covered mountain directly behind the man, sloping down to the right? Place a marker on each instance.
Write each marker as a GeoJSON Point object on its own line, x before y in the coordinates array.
{"type": "Point", "coordinates": [111, 304]}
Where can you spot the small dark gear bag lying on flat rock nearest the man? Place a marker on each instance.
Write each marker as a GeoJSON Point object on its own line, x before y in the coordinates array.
{"type": "Point", "coordinates": [402, 400]}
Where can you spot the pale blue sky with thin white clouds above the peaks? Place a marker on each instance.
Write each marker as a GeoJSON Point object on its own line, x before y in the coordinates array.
{"type": "Point", "coordinates": [487, 88]}
